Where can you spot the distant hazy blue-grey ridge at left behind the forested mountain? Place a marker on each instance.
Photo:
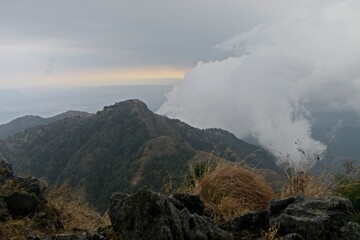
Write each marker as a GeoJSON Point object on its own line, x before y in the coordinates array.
{"type": "Point", "coordinates": [22, 123]}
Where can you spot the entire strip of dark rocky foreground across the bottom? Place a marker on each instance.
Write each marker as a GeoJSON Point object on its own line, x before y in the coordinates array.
{"type": "Point", "coordinates": [149, 215]}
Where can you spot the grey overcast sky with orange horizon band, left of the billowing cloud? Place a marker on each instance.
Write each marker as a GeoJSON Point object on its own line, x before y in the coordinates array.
{"type": "Point", "coordinates": [91, 42]}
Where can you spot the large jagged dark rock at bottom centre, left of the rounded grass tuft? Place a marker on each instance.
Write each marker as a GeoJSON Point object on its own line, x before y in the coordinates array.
{"type": "Point", "coordinates": [148, 215]}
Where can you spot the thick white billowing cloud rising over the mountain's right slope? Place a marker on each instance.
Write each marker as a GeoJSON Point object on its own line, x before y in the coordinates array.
{"type": "Point", "coordinates": [278, 74]}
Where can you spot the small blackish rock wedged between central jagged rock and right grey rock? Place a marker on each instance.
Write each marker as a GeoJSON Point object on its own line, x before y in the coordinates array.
{"type": "Point", "coordinates": [249, 225]}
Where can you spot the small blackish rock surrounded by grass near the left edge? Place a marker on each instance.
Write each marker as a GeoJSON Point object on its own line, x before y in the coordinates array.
{"type": "Point", "coordinates": [21, 203]}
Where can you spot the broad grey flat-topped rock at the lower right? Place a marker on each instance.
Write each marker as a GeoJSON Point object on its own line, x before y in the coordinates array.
{"type": "Point", "coordinates": [312, 218]}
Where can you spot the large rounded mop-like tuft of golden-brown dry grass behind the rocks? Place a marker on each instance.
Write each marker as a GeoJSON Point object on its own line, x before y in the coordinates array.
{"type": "Point", "coordinates": [231, 190]}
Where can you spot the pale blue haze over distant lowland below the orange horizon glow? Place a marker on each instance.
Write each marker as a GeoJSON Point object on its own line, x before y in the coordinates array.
{"type": "Point", "coordinates": [48, 102]}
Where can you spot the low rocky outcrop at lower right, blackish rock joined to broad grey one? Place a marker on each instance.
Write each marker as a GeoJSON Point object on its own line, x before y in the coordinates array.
{"type": "Point", "coordinates": [299, 218]}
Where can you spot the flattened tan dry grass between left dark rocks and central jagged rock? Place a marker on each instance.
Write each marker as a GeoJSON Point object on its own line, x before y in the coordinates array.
{"type": "Point", "coordinates": [75, 212]}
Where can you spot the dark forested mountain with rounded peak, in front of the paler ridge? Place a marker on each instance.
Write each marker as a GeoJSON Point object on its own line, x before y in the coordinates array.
{"type": "Point", "coordinates": [121, 148]}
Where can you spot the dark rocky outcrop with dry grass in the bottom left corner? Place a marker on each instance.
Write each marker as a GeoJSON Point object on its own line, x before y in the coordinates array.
{"type": "Point", "coordinates": [22, 199]}
